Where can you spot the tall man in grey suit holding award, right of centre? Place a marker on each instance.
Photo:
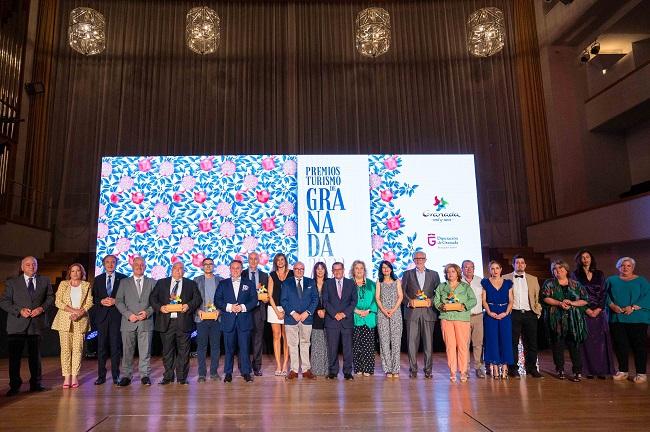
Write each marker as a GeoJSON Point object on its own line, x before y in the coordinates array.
{"type": "Point", "coordinates": [420, 320]}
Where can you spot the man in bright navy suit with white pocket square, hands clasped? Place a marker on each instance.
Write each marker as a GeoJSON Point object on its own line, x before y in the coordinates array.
{"type": "Point", "coordinates": [236, 297]}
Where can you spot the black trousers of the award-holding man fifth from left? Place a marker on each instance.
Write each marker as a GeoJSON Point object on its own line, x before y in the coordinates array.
{"type": "Point", "coordinates": [176, 351]}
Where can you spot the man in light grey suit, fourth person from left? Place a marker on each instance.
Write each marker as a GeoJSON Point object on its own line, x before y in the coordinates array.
{"type": "Point", "coordinates": [132, 301]}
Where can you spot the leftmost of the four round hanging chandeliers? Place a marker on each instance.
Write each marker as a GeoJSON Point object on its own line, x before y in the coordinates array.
{"type": "Point", "coordinates": [87, 31]}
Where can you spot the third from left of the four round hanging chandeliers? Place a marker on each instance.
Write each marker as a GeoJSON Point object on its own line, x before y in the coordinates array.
{"type": "Point", "coordinates": [373, 32]}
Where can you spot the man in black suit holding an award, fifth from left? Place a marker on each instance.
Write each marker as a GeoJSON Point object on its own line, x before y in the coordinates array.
{"type": "Point", "coordinates": [175, 327]}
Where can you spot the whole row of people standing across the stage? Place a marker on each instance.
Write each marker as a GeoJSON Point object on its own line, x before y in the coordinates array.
{"type": "Point", "coordinates": [310, 317]}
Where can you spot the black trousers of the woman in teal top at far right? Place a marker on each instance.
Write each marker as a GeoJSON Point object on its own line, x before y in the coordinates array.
{"type": "Point", "coordinates": [626, 337]}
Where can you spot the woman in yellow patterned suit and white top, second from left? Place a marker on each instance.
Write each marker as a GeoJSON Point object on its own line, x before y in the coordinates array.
{"type": "Point", "coordinates": [73, 299]}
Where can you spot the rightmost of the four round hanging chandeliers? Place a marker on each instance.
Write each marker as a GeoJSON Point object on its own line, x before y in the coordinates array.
{"type": "Point", "coordinates": [485, 32]}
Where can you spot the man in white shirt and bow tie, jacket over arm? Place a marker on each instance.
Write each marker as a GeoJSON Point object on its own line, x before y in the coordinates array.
{"type": "Point", "coordinates": [526, 311]}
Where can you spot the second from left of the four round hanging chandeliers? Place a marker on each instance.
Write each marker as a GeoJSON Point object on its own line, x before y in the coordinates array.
{"type": "Point", "coordinates": [202, 30]}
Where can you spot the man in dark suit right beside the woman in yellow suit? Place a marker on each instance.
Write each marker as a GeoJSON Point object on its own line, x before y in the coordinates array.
{"type": "Point", "coordinates": [107, 319]}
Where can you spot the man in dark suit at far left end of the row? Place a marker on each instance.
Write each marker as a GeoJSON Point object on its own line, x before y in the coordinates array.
{"type": "Point", "coordinates": [25, 300]}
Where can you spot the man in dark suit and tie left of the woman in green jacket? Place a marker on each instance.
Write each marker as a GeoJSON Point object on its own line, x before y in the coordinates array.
{"type": "Point", "coordinates": [339, 299]}
